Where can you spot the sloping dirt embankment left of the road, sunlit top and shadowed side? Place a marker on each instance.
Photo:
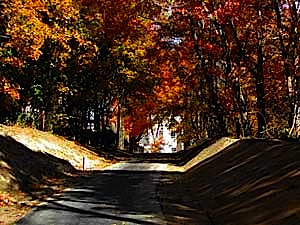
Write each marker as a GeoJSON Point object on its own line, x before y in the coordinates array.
{"type": "Point", "coordinates": [34, 165]}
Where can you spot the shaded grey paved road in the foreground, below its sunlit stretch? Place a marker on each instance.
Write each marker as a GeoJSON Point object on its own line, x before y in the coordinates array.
{"type": "Point", "coordinates": [116, 197]}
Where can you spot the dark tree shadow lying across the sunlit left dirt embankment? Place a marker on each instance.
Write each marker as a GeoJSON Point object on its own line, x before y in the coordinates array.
{"type": "Point", "coordinates": [34, 173]}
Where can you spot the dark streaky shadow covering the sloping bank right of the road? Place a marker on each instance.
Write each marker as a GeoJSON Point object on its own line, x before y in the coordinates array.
{"type": "Point", "coordinates": [250, 182]}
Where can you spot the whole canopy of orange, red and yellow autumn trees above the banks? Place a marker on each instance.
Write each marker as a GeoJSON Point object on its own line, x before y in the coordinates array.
{"type": "Point", "coordinates": [226, 67]}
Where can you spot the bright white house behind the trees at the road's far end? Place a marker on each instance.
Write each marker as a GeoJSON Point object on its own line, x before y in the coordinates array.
{"type": "Point", "coordinates": [167, 138]}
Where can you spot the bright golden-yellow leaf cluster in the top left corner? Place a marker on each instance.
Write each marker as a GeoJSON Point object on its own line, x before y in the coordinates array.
{"type": "Point", "coordinates": [29, 31]}
